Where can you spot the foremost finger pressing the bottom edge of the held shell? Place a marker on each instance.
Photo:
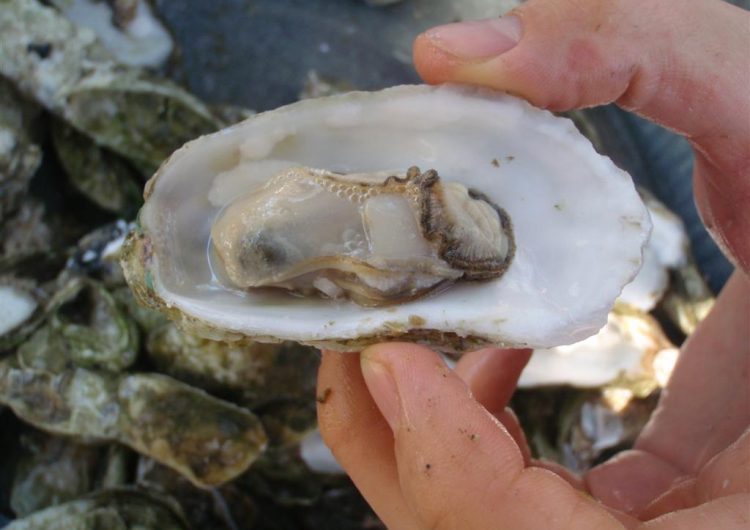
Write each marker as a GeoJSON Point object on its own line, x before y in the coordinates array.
{"type": "Point", "coordinates": [457, 465]}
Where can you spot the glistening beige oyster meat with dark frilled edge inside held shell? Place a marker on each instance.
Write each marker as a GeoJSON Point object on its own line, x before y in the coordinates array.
{"type": "Point", "coordinates": [375, 239]}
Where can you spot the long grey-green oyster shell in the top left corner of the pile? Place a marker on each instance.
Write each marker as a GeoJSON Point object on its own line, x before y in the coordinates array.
{"type": "Point", "coordinates": [66, 70]}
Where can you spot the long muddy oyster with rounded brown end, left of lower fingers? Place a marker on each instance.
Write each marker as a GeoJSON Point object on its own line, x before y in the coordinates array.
{"type": "Point", "coordinates": [208, 440]}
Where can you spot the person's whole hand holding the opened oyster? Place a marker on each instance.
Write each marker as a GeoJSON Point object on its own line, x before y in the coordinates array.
{"type": "Point", "coordinates": [431, 448]}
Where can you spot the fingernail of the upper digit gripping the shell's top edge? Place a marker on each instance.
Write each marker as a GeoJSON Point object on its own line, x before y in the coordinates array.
{"type": "Point", "coordinates": [478, 39]}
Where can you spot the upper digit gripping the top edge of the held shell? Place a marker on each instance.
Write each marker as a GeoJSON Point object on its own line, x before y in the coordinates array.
{"type": "Point", "coordinates": [680, 63]}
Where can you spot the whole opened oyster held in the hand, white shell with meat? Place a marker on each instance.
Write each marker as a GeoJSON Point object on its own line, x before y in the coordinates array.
{"type": "Point", "coordinates": [231, 214]}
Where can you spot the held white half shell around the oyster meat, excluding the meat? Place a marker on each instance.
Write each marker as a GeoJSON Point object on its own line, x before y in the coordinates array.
{"type": "Point", "coordinates": [578, 223]}
